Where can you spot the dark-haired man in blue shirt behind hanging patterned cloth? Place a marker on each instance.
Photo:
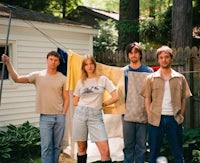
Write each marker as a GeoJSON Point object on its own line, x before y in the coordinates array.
{"type": "Point", "coordinates": [134, 131]}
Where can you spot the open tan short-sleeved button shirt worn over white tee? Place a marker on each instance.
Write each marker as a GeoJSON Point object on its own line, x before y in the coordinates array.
{"type": "Point", "coordinates": [154, 89]}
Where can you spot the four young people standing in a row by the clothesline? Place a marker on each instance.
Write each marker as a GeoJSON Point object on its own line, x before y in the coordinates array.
{"type": "Point", "coordinates": [164, 95]}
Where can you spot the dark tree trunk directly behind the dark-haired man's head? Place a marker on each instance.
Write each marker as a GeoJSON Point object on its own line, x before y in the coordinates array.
{"type": "Point", "coordinates": [128, 26]}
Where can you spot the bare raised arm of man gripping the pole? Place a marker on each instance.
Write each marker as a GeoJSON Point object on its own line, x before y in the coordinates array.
{"type": "Point", "coordinates": [14, 75]}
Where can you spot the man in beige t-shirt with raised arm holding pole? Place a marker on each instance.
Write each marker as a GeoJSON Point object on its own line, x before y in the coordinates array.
{"type": "Point", "coordinates": [52, 101]}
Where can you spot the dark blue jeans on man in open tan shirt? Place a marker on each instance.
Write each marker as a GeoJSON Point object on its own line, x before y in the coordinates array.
{"type": "Point", "coordinates": [173, 131]}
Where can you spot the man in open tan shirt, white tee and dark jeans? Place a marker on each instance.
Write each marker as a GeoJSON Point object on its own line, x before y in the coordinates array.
{"type": "Point", "coordinates": [165, 92]}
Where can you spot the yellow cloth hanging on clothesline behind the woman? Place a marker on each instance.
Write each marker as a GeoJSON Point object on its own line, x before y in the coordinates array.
{"type": "Point", "coordinates": [113, 73]}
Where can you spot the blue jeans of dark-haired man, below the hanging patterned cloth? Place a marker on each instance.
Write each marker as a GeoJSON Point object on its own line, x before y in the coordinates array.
{"type": "Point", "coordinates": [134, 141]}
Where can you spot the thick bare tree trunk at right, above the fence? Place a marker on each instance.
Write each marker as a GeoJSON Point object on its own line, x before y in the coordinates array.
{"type": "Point", "coordinates": [181, 23]}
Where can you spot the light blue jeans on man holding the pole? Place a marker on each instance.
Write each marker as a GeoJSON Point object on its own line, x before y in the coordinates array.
{"type": "Point", "coordinates": [51, 132]}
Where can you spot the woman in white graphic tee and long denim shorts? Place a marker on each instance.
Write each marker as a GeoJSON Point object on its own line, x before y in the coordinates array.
{"type": "Point", "coordinates": [88, 118]}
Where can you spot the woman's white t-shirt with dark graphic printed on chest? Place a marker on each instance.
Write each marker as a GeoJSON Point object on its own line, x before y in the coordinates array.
{"type": "Point", "coordinates": [92, 90]}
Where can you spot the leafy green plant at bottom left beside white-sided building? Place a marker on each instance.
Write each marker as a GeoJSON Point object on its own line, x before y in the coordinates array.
{"type": "Point", "coordinates": [19, 144]}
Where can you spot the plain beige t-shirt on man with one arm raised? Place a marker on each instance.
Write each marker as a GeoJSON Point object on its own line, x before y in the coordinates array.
{"type": "Point", "coordinates": [49, 91]}
